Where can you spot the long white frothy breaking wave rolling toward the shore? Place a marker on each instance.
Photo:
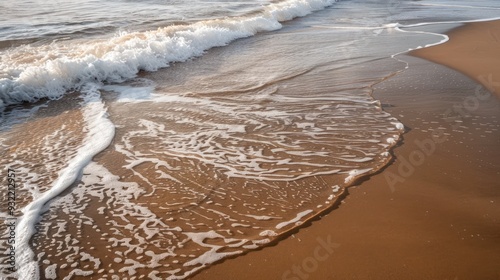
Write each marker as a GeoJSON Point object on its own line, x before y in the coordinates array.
{"type": "Point", "coordinates": [55, 69]}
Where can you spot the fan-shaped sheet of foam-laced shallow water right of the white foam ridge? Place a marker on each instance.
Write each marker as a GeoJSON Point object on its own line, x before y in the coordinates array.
{"type": "Point", "coordinates": [204, 177]}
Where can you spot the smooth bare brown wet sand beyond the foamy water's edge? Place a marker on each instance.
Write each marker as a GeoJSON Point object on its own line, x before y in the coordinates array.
{"type": "Point", "coordinates": [440, 219]}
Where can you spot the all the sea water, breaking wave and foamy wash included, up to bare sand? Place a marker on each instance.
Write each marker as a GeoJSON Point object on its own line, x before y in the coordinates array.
{"type": "Point", "coordinates": [150, 139]}
